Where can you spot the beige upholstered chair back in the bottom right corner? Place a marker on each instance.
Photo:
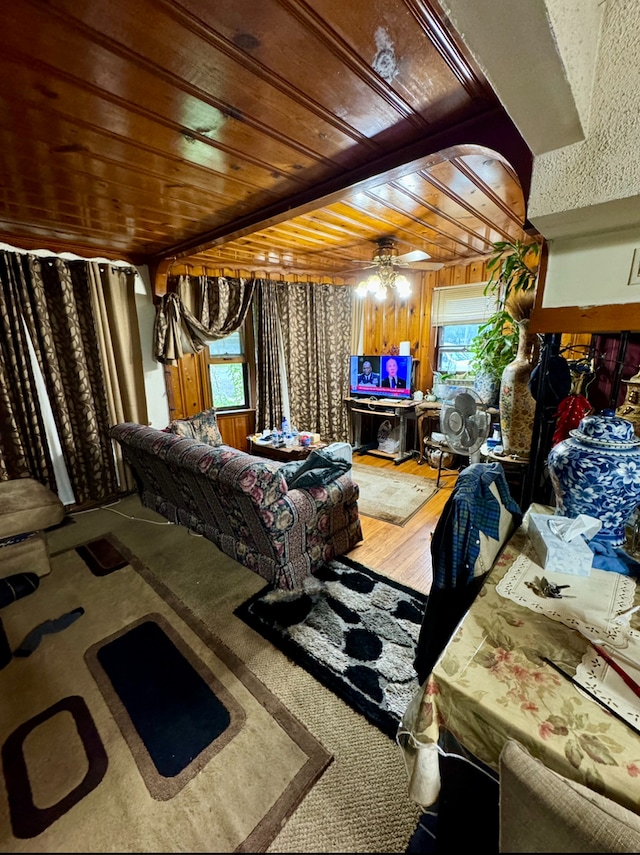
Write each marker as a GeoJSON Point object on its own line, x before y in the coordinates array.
{"type": "Point", "coordinates": [542, 811]}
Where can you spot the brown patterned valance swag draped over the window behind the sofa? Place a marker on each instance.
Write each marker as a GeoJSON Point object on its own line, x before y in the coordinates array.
{"type": "Point", "coordinates": [199, 308]}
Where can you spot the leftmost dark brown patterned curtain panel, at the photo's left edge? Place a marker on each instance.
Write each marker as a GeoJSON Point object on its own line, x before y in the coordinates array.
{"type": "Point", "coordinates": [23, 445]}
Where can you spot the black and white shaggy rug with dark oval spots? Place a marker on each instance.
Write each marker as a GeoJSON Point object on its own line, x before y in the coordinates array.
{"type": "Point", "coordinates": [354, 630]}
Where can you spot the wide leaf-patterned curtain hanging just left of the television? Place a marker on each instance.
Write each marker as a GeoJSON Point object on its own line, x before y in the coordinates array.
{"type": "Point", "coordinates": [316, 324]}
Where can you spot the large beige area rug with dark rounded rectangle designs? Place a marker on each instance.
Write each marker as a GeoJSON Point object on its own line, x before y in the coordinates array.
{"type": "Point", "coordinates": [127, 709]}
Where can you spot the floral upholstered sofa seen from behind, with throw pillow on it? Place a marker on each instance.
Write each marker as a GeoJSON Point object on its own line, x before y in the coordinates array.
{"type": "Point", "coordinates": [282, 521]}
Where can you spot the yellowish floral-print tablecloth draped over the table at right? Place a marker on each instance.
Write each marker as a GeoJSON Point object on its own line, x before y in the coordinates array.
{"type": "Point", "coordinates": [491, 684]}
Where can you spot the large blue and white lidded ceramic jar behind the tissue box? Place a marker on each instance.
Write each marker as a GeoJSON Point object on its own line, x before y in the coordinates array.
{"type": "Point", "coordinates": [596, 471]}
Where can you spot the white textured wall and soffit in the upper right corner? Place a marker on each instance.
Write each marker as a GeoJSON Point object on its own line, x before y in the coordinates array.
{"type": "Point", "coordinates": [568, 74]}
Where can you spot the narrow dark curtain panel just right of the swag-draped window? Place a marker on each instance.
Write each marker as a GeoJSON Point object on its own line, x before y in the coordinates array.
{"type": "Point", "coordinates": [268, 345]}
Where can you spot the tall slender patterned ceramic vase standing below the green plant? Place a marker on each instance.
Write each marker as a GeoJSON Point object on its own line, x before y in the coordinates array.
{"type": "Point", "coordinates": [517, 404]}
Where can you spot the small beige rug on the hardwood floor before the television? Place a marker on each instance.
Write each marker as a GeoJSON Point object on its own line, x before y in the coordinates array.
{"type": "Point", "coordinates": [392, 497]}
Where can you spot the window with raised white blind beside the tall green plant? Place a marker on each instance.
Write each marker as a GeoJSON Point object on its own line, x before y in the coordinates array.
{"type": "Point", "coordinates": [456, 316]}
